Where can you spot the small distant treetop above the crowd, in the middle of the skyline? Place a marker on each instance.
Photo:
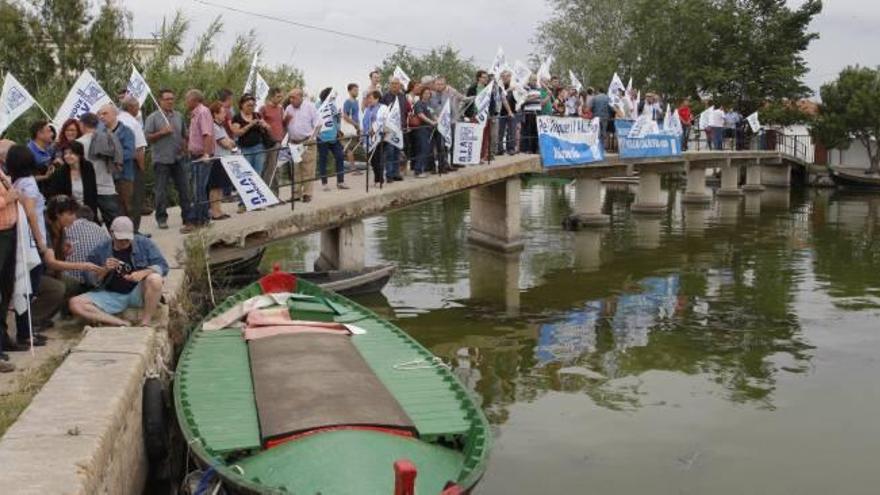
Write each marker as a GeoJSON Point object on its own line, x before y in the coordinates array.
{"type": "Point", "coordinates": [444, 60]}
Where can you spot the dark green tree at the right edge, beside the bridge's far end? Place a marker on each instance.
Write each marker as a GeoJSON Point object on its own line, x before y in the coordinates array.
{"type": "Point", "coordinates": [849, 111]}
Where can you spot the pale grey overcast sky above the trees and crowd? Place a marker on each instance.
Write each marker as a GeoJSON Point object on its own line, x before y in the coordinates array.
{"type": "Point", "coordinates": [848, 31]}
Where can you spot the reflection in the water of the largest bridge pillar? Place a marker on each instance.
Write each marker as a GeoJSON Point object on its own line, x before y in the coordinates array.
{"type": "Point", "coordinates": [494, 278]}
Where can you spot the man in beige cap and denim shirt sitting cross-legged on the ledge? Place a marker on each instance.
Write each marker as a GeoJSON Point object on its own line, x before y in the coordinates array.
{"type": "Point", "coordinates": [131, 276]}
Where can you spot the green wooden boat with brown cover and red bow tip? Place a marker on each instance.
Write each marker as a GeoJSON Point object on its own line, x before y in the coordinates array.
{"type": "Point", "coordinates": [290, 409]}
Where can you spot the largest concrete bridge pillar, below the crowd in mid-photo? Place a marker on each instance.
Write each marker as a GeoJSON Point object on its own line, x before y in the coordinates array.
{"type": "Point", "coordinates": [495, 216]}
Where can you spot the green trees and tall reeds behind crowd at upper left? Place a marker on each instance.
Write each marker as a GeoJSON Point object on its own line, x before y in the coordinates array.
{"type": "Point", "coordinates": [80, 36]}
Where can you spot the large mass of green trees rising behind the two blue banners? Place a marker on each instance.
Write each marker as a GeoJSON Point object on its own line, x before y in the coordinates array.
{"type": "Point", "coordinates": [742, 51]}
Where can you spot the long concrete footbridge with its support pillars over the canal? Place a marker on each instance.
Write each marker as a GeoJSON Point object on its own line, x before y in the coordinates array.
{"type": "Point", "coordinates": [494, 201]}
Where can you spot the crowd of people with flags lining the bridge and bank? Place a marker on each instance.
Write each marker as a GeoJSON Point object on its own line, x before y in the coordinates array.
{"type": "Point", "coordinates": [82, 185]}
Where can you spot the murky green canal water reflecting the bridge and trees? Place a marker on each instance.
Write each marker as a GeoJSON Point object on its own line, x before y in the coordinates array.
{"type": "Point", "coordinates": [726, 349]}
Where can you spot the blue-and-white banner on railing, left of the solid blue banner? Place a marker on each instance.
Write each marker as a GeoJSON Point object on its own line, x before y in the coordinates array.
{"type": "Point", "coordinates": [567, 141]}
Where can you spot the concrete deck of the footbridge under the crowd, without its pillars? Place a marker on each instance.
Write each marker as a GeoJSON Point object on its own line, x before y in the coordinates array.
{"type": "Point", "coordinates": [335, 207]}
